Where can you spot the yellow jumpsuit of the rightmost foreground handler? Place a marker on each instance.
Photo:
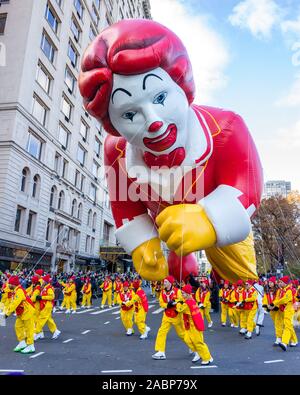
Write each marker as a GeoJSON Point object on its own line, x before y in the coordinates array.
{"type": "Point", "coordinates": [285, 303]}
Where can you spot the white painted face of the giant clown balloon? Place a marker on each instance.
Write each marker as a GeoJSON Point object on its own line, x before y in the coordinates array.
{"type": "Point", "coordinates": [150, 111]}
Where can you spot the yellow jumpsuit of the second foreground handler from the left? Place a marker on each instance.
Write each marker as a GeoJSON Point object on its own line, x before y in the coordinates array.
{"type": "Point", "coordinates": [46, 307]}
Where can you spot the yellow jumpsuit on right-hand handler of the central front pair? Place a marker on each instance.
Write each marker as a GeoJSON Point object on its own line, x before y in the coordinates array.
{"type": "Point", "coordinates": [193, 338]}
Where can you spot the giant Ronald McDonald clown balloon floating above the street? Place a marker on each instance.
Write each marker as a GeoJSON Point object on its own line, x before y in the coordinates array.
{"type": "Point", "coordinates": [178, 173]}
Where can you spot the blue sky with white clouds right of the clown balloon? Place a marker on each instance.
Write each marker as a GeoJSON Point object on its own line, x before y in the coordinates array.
{"type": "Point", "coordinates": [246, 57]}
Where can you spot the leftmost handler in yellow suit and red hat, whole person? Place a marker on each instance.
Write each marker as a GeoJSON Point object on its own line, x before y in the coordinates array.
{"type": "Point", "coordinates": [24, 309]}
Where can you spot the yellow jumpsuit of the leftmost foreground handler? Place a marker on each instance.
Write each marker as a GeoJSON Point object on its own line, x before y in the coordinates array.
{"type": "Point", "coordinates": [24, 326]}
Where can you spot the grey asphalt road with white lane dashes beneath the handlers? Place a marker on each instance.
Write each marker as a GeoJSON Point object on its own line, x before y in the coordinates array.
{"type": "Point", "coordinates": [94, 342]}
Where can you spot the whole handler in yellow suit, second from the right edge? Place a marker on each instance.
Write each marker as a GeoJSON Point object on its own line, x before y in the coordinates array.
{"type": "Point", "coordinates": [271, 293]}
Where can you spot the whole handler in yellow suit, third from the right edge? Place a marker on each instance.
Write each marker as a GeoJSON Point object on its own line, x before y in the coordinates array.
{"type": "Point", "coordinates": [249, 308]}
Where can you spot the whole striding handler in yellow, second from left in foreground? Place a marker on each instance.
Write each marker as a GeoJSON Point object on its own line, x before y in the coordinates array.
{"type": "Point", "coordinates": [46, 299]}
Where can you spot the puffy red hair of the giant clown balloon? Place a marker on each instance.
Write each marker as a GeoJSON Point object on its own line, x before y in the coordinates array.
{"type": "Point", "coordinates": [130, 47]}
